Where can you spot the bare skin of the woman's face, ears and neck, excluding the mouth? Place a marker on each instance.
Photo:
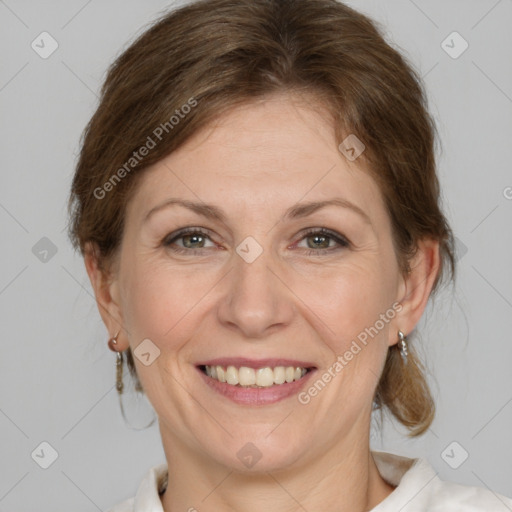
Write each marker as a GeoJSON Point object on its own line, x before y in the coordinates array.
{"type": "Point", "coordinates": [254, 163]}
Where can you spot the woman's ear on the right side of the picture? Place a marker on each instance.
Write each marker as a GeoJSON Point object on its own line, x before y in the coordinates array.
{"type": "Point", "coordinates": [415, 287]}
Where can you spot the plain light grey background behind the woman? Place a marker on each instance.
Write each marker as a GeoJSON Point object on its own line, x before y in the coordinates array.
{"type": "Point", "coordinates": [56, 372]}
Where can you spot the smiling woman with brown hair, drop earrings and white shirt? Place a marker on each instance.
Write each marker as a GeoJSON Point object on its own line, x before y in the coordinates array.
{"type": "Point", "coordinates": [258, 209]}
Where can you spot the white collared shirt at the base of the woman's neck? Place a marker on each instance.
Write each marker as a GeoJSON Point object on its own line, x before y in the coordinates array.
{"type": "Point", "coordinates": [418, 489]}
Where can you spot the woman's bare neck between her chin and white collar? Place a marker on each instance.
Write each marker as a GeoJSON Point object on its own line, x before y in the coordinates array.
{"type": "Point", "coordinates": [343, 478]}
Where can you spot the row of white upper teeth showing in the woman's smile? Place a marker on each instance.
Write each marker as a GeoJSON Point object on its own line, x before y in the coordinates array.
{"type": "Point", "coordinates": [249, 377]}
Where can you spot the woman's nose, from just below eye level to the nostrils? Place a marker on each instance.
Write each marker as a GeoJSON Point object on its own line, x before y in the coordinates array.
{"type": "Point", "coordinates": [257, 299]}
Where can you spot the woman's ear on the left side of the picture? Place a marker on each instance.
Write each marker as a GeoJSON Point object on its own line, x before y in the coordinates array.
{"type": "Point", "coordinates": [106, 291]}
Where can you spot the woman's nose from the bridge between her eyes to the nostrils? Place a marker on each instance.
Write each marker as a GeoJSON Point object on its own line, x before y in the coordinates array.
{"type": "Point", "coordinates": [255, 297]}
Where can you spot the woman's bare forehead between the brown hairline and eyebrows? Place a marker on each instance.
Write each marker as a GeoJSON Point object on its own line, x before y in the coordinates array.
{"type": "Point", "coordinates": [268, 154]}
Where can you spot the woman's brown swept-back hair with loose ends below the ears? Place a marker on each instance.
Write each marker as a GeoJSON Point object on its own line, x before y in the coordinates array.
{"type": "Point", "coordinates": [214, 55]}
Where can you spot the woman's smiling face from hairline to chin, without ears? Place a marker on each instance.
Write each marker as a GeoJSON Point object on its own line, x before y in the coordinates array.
{"type": "Point", "coordinates": [265, 278]}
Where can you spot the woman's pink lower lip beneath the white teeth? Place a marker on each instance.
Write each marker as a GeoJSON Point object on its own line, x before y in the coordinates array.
{"type": "Point", "coordinates": [256, 396]}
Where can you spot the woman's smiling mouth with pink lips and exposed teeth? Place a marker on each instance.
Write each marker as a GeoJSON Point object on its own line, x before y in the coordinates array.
{"type": "Point", "coordinates": [252, 382]}
